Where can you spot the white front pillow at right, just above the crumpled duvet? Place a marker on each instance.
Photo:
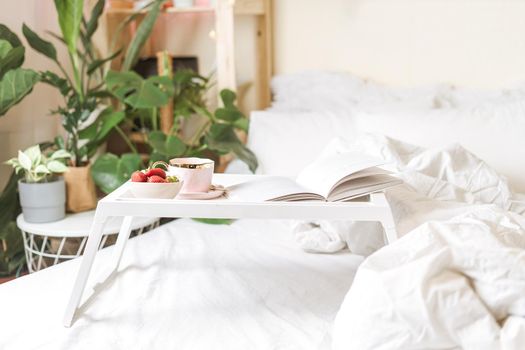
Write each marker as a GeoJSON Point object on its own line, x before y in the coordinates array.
{"type": "Point", "coordinates": [494, 132]}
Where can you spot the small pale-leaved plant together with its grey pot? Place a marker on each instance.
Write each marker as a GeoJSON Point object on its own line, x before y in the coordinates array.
{"type": "Point", "coordinates": [42, 190]}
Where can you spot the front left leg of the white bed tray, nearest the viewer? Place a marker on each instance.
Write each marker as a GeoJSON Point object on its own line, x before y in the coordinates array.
{"type": "Point", "coordinates": [95, 236]}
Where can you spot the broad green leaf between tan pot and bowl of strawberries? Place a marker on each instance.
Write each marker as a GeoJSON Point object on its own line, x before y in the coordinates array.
{"type": "Point", "coordinates": [110, 171]}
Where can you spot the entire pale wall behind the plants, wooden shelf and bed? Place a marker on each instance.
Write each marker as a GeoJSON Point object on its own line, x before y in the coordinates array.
{"type": "Point", "coordinates": [400, 42]}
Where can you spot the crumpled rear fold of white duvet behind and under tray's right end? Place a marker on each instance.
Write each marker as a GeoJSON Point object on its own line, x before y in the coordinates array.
{"type": "Point", "coordinates": [439, 184]}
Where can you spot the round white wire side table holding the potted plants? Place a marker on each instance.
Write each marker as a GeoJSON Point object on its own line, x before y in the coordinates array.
{"type": "Point", "coordinates": [47, 244]}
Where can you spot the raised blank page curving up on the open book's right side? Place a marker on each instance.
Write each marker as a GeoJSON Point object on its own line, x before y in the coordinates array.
{"type": "Point", "coordinates": [325, 173]}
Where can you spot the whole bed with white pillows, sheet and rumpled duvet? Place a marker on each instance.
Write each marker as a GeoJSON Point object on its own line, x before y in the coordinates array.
{"type": "Point", "coordinates": [252, 284]}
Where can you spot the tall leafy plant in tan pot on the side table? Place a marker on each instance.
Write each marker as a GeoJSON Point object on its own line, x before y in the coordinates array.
{"type": "Point", "coordinates": [87, 116]}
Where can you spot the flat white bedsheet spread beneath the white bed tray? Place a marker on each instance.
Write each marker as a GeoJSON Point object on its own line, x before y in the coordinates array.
{"type": "Point", "coordinates": [188, 286]}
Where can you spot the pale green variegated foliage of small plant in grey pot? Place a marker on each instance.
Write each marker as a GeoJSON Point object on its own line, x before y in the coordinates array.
{"type": "Point", "coordinates": [38, 167]}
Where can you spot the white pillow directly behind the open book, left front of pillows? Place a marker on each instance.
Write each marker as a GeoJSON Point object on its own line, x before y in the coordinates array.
{"type": "Point", "coordinates": [285, 143]}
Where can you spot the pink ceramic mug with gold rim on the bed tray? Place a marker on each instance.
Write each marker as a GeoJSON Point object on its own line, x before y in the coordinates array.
{"type": "Point", "coordinates": [195, 172]}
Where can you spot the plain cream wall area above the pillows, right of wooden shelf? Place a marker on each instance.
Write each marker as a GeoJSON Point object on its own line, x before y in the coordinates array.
{"type": "Point", "coordinates": [404, 42]}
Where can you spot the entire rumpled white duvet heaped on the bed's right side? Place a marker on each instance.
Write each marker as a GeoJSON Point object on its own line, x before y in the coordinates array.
{"type": "Point", "coordinates": [456, 279]}
